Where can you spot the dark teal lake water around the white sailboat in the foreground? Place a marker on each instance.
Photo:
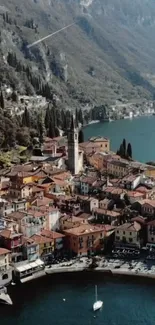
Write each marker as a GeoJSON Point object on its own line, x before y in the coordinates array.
{"type": "Point", "coordinates": [41, 302]}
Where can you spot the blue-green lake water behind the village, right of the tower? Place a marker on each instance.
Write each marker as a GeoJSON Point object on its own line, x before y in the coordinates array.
{"type": "Point", "coordinates": [140, 132]}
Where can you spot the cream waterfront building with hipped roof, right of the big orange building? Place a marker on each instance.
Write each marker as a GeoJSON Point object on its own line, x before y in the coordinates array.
{"type": "Point", "coordinates": [128, 233]}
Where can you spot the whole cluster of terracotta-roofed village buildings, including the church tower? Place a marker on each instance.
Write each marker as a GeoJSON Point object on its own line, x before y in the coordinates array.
{"type": "Point", "coordinates": [74, 200]}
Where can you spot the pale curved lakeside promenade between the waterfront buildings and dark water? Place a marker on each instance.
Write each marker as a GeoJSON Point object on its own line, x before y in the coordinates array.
{"type": "Point", "coordinates": [135, 268]}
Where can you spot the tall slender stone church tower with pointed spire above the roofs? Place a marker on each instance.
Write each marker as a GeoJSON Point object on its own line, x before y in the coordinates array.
{"type": "Point", "coordinates": [73, 148]}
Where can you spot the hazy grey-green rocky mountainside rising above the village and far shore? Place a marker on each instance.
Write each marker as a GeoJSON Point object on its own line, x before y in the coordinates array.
{"type": "Point", "coordinates": [108, 54]}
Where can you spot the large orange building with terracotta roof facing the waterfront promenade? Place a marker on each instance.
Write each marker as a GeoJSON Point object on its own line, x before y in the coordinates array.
{"type": "Point", "coordinates": [87, 239]}
